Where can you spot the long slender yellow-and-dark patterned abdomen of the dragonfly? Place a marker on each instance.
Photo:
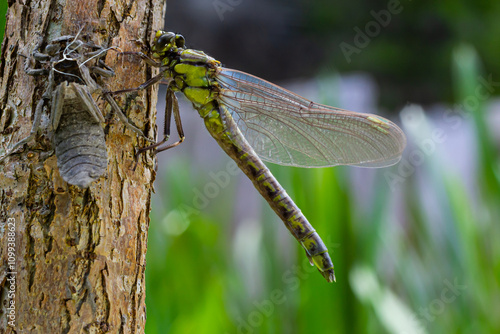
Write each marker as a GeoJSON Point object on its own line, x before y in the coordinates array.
{"type": "Point", "coordinates": [223, 128]}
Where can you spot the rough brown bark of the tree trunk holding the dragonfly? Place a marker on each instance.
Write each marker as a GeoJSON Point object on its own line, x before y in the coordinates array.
{"type": "Point", "coordinates": [72, 259]}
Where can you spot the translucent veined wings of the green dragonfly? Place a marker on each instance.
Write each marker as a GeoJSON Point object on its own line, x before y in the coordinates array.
{"type": "Point", "coordinates": [287, 129]}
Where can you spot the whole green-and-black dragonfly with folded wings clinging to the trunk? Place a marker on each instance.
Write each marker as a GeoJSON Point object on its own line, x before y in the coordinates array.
{"type": "Point", "coordinates": [255, 121]}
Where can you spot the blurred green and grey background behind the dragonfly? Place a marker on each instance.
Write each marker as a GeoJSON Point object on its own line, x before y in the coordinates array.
{"type": "Point", "coordinates": [415, 246]}
